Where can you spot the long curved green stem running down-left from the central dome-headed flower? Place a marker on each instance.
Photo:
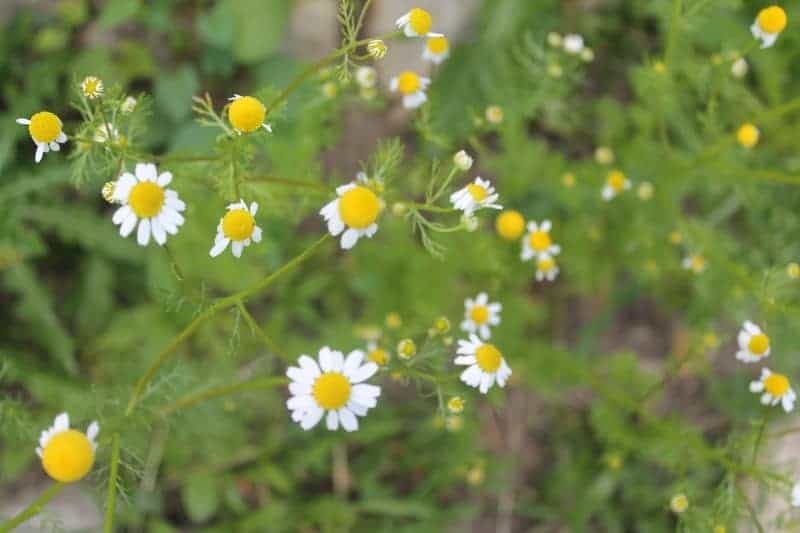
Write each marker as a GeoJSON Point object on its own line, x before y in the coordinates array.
{"type": "Point", "coordinates": [215, 308]}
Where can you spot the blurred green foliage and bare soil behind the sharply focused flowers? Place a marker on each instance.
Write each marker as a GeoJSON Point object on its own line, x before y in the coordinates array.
{"type": "Point", "coordinates": [625, 391]}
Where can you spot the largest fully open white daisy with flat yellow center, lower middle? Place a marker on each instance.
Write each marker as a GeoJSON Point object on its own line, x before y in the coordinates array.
{"type": "Point", "coordinates": [334, 386]}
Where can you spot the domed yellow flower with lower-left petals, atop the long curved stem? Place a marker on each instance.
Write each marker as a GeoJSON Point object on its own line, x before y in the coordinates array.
{"type": "Point", "coordinates": [356, 208]}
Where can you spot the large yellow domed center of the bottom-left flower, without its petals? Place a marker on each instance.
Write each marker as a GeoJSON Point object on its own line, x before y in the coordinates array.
{"type": "Point", "coordinates": [68, 456]}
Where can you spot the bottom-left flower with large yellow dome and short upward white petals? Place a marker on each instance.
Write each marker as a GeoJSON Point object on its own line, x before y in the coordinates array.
{"type": "Point", "coordinates": [67, 454]}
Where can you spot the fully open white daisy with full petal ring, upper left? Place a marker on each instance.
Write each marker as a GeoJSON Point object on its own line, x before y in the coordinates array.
{"type": "Point", "coordinates": [146, 202]}
